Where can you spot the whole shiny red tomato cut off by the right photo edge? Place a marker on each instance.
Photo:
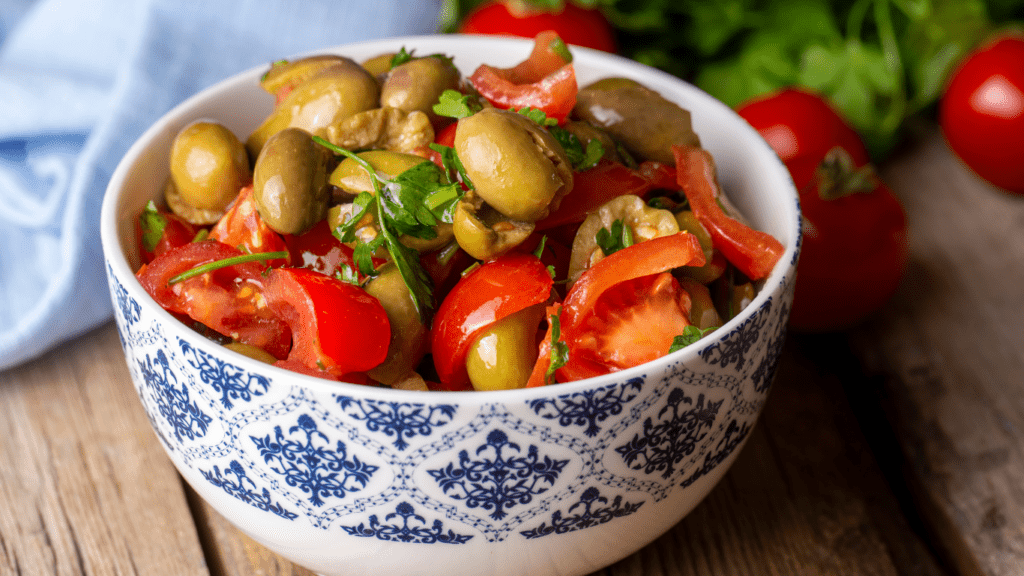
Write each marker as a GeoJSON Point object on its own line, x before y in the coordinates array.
{"type": "Point", "coordinates": [983, 112]}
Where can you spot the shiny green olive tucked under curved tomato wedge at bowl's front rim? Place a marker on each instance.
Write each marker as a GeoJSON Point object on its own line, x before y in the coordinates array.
{"type": "Point", "coordinates": [503, 357]}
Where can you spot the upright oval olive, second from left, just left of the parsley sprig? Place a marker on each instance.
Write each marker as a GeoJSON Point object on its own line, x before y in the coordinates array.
{"type": "Point", "coordinates": [290, 182]}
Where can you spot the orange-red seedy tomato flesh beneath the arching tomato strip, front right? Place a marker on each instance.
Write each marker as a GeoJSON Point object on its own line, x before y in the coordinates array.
{"type": "Point", "coordinates": [633, 322]}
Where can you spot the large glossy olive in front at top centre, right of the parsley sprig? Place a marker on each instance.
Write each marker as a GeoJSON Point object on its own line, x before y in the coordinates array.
{"type": "Point", "coordinates": [517, 167]}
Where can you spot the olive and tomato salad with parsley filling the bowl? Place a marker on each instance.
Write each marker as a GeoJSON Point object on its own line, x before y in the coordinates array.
{"type": "Point", "coordinates": [396, 224]}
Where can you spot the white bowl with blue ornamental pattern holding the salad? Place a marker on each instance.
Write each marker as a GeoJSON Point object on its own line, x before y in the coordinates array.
{"type": "Point", "coordinates": [346, 479]}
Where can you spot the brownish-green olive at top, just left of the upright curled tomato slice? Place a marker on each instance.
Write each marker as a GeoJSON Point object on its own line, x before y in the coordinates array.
{"type": "Point", "coordinates": [417, 86]}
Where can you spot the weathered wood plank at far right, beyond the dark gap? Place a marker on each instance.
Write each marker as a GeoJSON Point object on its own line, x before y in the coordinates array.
{"type": "Point", "coordinates": [951, 351]}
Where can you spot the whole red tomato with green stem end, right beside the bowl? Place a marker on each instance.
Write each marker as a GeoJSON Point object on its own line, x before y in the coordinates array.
{"type": "Point", "coordinates": [854, 254]}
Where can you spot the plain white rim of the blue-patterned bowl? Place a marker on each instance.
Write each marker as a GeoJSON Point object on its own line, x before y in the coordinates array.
{"type": "Point", "coordinates": [516, 48]}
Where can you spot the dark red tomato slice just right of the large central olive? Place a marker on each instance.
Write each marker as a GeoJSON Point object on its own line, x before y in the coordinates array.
{"type": "Point", "coordinates": [593, 188]}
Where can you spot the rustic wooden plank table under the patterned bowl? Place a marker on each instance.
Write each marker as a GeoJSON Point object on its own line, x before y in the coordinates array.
{"type": "Point", "coordinates": [898, 449]}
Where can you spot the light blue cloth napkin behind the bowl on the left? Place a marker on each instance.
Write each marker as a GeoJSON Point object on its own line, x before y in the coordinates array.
{"type": "Point", "coordinates": [80, 80]}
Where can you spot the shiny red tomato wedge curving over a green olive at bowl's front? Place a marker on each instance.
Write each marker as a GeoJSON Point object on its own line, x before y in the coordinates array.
{"type": "Point", "coordinates": [496, 291]}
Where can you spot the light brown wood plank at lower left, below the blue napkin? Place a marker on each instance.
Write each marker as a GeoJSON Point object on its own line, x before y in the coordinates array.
{"type": "Point", "coordinates": [86, 487]}
